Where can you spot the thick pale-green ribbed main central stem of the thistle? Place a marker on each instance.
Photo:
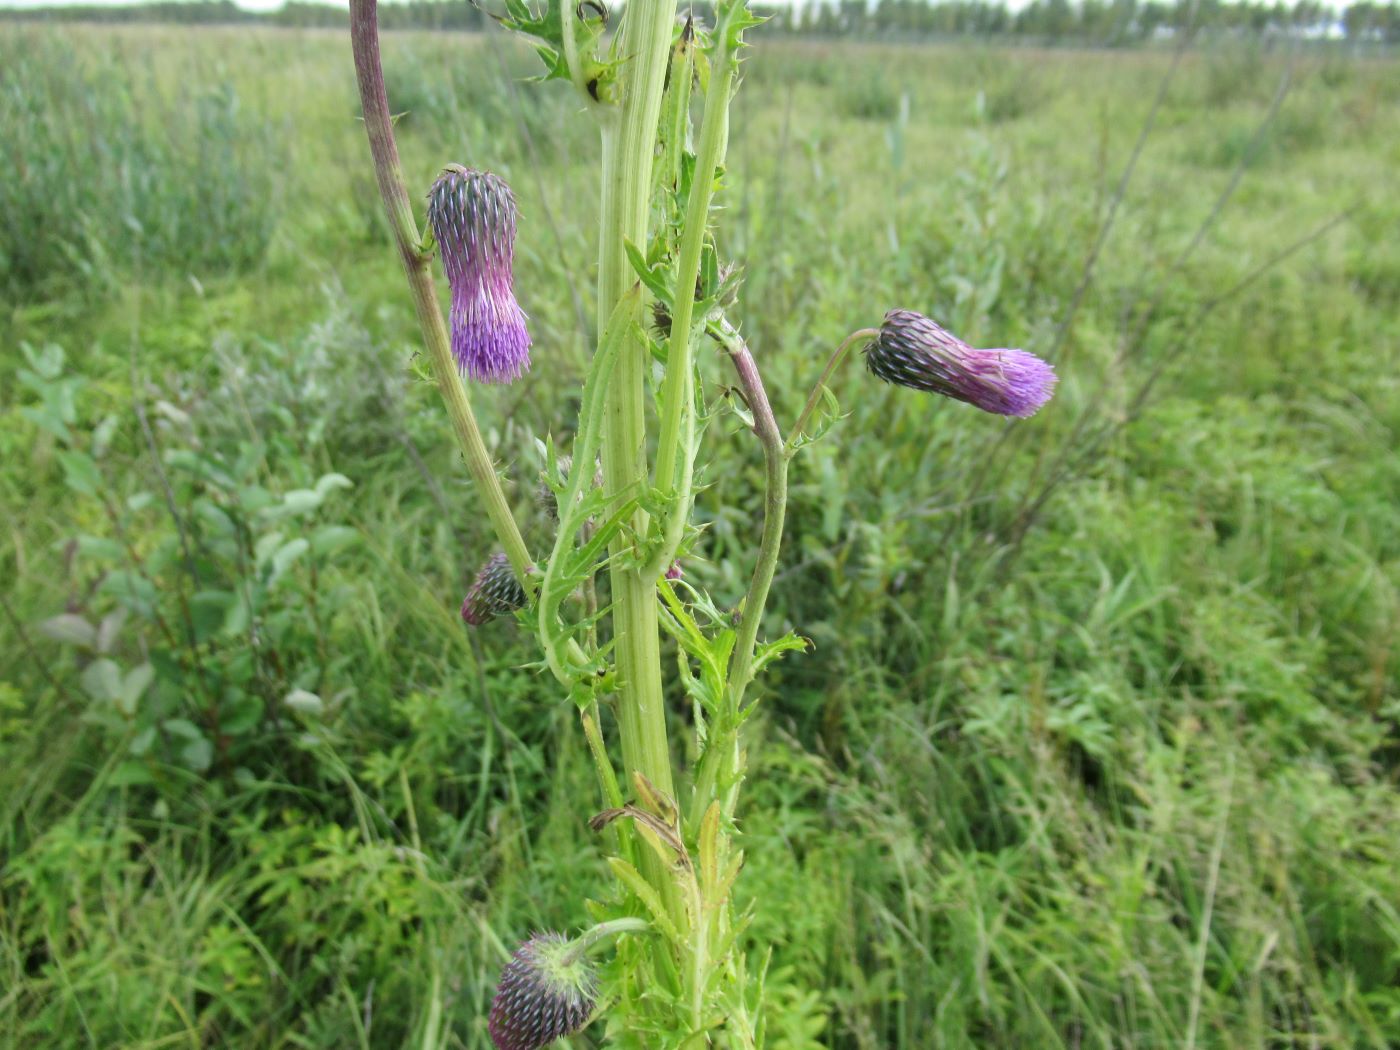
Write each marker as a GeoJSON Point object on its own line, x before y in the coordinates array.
{"type": "Point", "coordinates": [629, 143]}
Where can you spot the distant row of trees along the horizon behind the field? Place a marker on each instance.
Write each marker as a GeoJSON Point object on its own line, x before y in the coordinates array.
{"type": "Point", "coordinates": [1107, 23]}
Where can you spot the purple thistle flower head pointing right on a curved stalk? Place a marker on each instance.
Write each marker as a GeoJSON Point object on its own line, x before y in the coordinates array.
{"type": "Point", "coordinates": [913, 352]}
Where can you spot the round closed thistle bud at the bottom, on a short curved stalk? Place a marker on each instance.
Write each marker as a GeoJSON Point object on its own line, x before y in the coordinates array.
{"type": "Point", "coordinates": [545, 993]}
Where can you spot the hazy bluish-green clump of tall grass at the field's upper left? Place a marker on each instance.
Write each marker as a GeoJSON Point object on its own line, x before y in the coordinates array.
{"type": "Point", "coordinates": [111, 171]}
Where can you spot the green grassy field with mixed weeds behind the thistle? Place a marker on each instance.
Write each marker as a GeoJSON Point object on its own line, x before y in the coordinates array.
{"type": "Point", "coordinates": [1098, 740]}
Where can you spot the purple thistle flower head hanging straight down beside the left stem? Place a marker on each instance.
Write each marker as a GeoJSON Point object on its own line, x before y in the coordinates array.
{"type": "Point", "coordinates": [472, 215]}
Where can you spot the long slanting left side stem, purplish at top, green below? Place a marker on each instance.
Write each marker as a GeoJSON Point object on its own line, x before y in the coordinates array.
{"type": "Point", "coordinates": [365, 37]}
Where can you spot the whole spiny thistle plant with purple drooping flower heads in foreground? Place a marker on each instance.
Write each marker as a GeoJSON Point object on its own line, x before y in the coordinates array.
{"type": "Point", "coordinates": [660, 93]}
